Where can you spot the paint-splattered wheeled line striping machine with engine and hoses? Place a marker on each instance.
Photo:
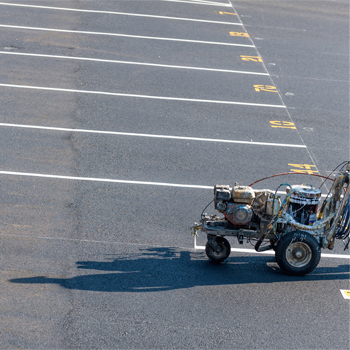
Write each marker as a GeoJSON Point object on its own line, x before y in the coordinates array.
{"type": "Point", "coordinates": [296, 228]}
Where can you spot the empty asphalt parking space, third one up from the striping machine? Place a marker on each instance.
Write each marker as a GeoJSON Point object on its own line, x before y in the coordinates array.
{"type": "Point", "coordinates": [141, 80]}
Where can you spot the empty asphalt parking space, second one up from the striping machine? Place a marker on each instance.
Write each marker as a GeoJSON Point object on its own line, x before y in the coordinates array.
{"type": "Point", "coordinates": [178, 118]}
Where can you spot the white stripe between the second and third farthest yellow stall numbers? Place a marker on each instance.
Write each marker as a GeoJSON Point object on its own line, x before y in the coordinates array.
{"type": "Point", "coordinates": [124, 35]}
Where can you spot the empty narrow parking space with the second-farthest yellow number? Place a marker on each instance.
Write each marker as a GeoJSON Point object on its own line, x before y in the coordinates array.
{"type": "Point", "coordinates": [129, 24]}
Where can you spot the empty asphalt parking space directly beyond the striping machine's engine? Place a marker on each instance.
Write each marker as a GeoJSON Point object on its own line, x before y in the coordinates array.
{"type": "Point", "coordinates": [130, 157]}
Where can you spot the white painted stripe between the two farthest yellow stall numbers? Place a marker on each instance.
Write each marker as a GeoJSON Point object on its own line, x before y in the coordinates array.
{"type": "Point", "coordinates": [118, 13]}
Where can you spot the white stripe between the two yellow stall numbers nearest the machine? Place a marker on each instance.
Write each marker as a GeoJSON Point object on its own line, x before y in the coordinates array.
{"type": "Point", "coordinates": [150, 135]}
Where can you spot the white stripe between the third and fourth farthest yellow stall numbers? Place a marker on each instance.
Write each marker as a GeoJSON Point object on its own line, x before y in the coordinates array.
{"type": "Point", "coordinates": [131, 63]}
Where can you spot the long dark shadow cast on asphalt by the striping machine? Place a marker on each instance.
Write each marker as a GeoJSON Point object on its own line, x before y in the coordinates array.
{"type": "Point", "coordinates": [162, 269]}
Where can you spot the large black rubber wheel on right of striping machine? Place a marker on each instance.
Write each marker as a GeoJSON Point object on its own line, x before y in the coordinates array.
{"type": "Point", "coordinates": [298, 253]}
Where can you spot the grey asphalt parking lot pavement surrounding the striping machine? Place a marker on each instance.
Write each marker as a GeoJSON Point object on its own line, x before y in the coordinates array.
{"type": "Point", "coordinates": [117, 118]}
